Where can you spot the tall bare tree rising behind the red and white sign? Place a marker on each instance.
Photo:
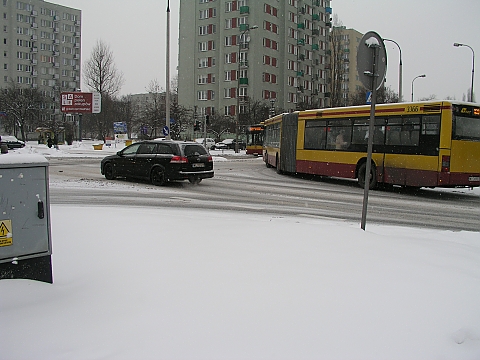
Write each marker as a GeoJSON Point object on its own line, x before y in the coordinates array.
{"type": "Point", "coordinates": [101, 75]}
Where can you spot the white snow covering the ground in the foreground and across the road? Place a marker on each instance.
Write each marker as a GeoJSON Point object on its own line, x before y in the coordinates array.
{"type": "Point", "coordinates": [146, 283]}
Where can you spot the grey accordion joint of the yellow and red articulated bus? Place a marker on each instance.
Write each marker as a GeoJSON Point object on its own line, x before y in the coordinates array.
{"type": "Point", "coordinates": [288, 143]}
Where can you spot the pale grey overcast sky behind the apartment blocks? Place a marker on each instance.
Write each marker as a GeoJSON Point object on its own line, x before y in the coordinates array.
{"type": "Point", "coordinates": [424, 29]}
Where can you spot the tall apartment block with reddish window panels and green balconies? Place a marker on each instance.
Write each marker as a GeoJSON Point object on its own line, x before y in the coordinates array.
{"type": "Point", "coordinates": [273, 51]}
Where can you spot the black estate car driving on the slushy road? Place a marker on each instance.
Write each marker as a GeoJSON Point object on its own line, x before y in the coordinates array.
{"type": "Point", "coordinates": [160, 161]}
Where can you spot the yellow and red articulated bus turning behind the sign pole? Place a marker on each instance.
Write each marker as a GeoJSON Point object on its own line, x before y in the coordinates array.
{"type": "Point", "coordinates": [423, 144]}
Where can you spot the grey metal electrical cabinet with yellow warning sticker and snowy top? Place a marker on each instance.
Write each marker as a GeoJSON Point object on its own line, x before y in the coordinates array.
{"type": "Point", "coordinates": [25, 233]}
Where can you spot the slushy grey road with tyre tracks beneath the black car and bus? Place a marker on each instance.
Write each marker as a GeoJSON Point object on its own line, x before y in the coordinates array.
{"type": "Point", "coordinates": [247, 185]}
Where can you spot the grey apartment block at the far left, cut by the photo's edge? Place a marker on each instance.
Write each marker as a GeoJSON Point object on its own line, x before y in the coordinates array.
{"type": "Point", "coordinates": [41, 46]}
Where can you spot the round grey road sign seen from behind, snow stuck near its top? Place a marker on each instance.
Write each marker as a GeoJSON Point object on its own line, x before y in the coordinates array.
{"type": "Point", "coordinates": [370, 43]}
